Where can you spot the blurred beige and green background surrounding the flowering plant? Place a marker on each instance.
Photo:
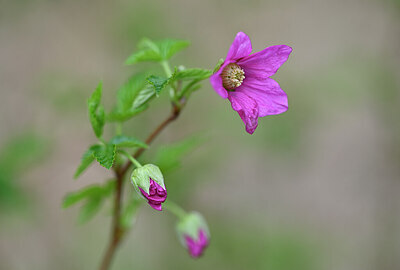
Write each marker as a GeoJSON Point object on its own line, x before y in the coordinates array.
{"type": "Point", "coordinates": [314, 188]}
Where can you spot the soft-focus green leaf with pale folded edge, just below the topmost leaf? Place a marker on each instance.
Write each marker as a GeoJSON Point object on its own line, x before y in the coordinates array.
{"type": "Point", "coordinates": [132, 99]}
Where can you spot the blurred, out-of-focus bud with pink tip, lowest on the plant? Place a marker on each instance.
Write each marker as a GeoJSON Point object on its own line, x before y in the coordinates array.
{"type": "Point", "coordinates": [193, 233]}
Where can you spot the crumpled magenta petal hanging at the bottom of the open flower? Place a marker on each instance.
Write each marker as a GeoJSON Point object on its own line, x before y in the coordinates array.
{"type": "Point", "coordinates": [247, 108]}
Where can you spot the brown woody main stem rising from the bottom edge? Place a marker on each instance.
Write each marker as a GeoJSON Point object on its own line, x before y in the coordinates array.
{"type": "Point", "coordinates": [117, 232]}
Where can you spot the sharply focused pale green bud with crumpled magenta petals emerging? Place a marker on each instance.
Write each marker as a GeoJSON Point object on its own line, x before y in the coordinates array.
{"type": "Point", "coordinates": [149, 182]}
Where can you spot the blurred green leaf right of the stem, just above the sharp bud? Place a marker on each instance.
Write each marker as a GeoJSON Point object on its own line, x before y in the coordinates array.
{"type": "Point", "coordinates": [169, 157]}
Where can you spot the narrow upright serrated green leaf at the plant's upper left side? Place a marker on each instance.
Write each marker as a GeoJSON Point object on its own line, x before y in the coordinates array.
{"type": "Point", "coordinates": [96, 111]}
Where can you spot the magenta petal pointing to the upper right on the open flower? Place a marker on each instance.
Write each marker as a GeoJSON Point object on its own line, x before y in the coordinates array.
{"type": "Point", "coordinates": [266, 62]}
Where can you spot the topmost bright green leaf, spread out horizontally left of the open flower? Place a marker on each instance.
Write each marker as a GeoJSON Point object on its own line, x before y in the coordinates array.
{"type": "Point", "coordinates": [156, 51]}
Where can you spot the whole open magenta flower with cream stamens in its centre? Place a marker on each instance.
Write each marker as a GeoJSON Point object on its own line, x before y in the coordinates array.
{"type": "Point", "coordinates": [243, 78]}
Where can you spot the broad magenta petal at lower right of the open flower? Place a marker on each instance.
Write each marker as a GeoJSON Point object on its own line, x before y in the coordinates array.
{"type": "Point", "coordinates": [271, 99]}
